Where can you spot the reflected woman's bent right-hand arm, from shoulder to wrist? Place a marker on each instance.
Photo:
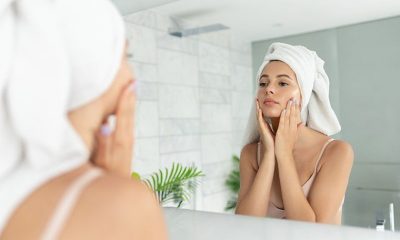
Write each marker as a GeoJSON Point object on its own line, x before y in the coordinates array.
{"type": "Point", "coordinates": [328, 188]}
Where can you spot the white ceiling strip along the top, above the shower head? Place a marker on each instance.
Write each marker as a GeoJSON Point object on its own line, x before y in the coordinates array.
{"type": "Point", "coordinates": [252, 20]}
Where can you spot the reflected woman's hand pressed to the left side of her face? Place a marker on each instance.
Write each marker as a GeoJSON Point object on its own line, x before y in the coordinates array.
{"type": "Point", "coordinates": [266, 134]}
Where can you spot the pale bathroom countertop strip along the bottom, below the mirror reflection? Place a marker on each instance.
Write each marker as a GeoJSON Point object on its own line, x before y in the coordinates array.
{"type": "Point", "coordinates": [195, 225]}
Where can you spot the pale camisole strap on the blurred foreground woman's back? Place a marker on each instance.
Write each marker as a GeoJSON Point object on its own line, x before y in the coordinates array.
{"type": "Point", "coordinates": [67, 203]}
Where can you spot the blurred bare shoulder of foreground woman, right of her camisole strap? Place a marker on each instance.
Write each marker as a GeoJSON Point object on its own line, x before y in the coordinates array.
{"type": "Point", "coordinates": [115, 206]}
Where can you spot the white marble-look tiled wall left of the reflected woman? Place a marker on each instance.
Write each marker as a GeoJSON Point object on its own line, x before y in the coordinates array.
{"type": "Point", "coordinates": [194, 97]}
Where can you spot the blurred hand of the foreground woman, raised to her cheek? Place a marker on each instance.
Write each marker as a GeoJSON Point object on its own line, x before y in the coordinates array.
{"type": "Point", "coordinates": [114, 150]}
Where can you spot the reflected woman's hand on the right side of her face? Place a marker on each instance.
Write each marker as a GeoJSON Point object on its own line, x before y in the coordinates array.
{"type": "Point", "coordinates": [287, 132]}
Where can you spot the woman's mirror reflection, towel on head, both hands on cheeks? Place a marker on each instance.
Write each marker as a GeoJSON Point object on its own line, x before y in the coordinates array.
{"type": "Point", "coordinates": [290, 167]}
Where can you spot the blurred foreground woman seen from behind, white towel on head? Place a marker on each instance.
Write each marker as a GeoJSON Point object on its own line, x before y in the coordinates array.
{"type": "Point", "coordinates": [64, 71]}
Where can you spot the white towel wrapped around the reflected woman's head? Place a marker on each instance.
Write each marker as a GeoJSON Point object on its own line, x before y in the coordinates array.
{"type": "Point", "coordinates": [316, 111]}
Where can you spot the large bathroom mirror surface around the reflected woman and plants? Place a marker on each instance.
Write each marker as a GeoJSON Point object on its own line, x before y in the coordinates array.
{"type": "Point", "coordinates": [196, 61]}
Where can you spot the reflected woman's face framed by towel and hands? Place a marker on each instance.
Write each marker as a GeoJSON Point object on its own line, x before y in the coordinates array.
{"type": "Point", "coordinates": [276, 86]}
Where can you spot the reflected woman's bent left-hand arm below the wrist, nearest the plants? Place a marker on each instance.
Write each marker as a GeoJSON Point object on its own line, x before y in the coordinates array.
{"type": "Point", "coordinates": [255, 185]}
